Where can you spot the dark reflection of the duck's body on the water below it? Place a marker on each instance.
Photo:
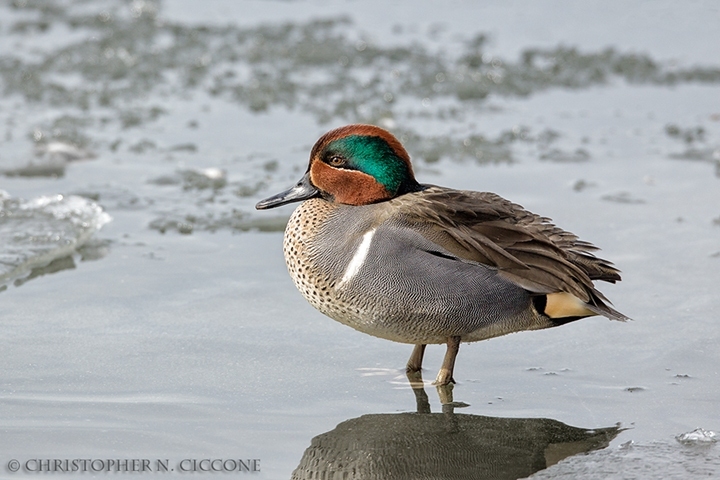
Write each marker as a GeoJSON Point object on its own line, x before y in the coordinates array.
{"type": "Point", "coordinates": [444, 446]}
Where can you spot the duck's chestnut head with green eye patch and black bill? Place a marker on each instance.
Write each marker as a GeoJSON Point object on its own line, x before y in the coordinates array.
{"type": "Point", "coordinates": [354, 165]}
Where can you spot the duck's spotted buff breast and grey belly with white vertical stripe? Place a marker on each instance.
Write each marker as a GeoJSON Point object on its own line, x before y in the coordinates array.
{"type": "Point", "coordinates": [380, 282]}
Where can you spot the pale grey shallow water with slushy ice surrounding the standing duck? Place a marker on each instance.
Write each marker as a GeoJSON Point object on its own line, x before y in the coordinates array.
{"type": "Point", "coordinates": [174, 332]}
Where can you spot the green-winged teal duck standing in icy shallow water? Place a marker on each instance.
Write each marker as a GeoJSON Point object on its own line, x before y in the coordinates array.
{"type": "Point", "coordinates": [374, 249]}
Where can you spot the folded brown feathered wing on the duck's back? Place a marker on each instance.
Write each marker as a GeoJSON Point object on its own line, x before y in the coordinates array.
{"type": "Point", "coordinates": [527, 249]}
